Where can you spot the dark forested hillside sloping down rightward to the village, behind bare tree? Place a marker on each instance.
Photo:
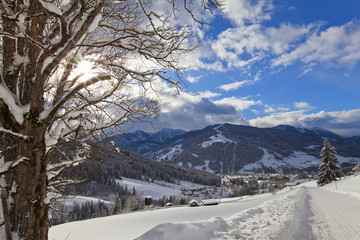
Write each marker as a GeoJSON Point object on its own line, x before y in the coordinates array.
{"type": "Point", "coordinates": [105, 165]}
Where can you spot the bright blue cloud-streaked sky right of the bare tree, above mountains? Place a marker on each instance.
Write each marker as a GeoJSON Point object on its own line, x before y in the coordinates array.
{"type": "Point", "coordinates": [265, 63]}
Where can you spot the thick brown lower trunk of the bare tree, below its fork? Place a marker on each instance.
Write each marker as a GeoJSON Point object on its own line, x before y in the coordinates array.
{"type": "Point", "coordinates": [24, 209]}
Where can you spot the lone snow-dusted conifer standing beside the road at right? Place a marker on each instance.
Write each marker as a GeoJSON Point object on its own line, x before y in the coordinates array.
{"type": "Point", "coordinates": [329, 170]}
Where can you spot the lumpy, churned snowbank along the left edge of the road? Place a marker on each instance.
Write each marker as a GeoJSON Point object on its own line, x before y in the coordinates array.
{"type": "Point", "coordinates": [258, 222]}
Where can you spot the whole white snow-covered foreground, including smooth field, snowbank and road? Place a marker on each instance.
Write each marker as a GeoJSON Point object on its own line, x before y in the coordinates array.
{"type": "Point", "coordinates": [303, 212]}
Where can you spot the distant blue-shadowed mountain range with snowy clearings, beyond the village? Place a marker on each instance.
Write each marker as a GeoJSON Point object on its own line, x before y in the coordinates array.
{"type": "Point", "coordinates": [228, 148]}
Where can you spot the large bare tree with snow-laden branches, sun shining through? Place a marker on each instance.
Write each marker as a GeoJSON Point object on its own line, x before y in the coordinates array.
{"type": "Point", "coordinates": [72, 68]}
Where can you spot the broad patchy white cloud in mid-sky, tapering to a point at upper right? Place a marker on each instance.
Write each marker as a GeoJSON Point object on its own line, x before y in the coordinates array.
{"type": "Point", "coordinates": [244, 45]}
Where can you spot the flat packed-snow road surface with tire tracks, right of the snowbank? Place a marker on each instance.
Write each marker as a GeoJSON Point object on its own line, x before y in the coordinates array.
{"type": "Point", "coordinates": [336, 216]}
